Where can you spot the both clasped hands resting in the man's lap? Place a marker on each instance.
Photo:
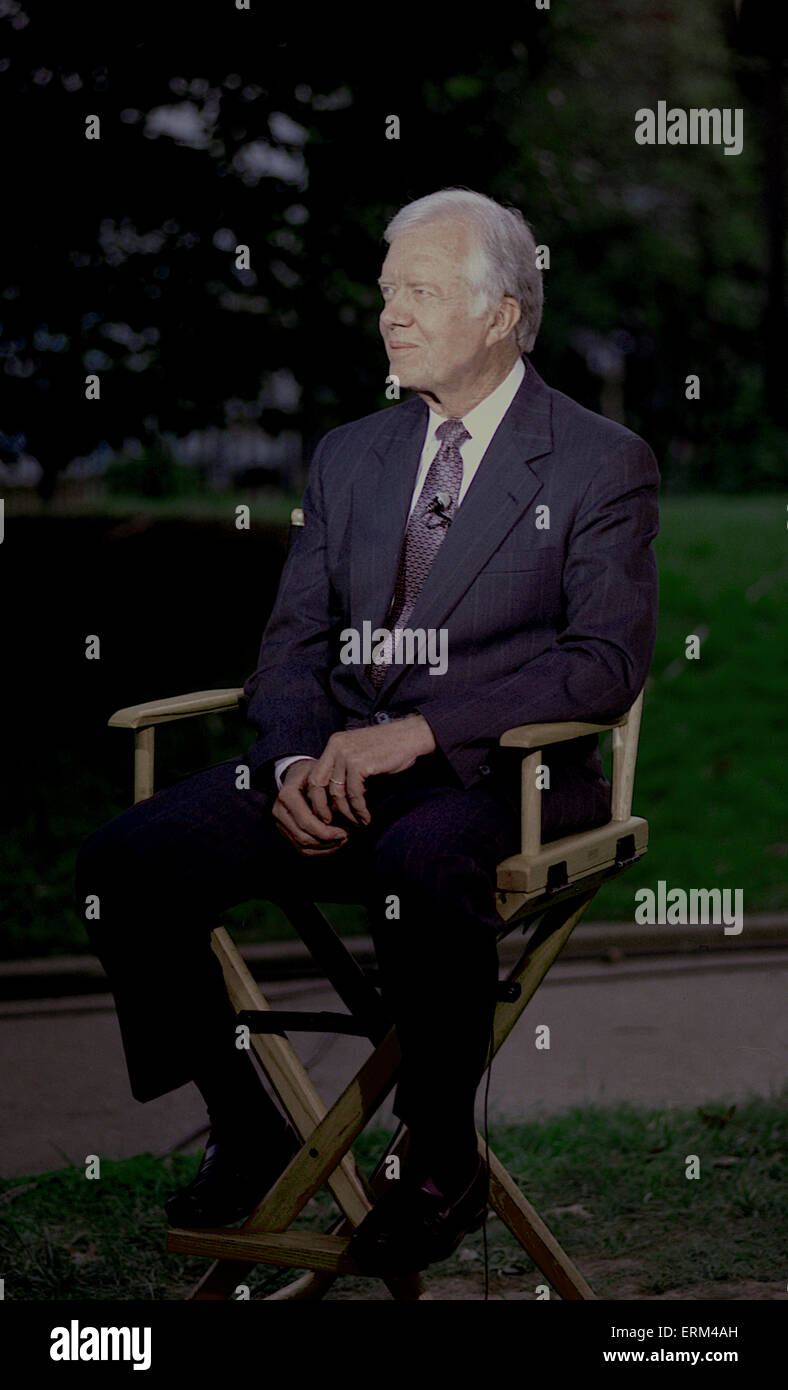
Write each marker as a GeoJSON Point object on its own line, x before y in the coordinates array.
{"type": "Point", "coordinates": [315, 790]}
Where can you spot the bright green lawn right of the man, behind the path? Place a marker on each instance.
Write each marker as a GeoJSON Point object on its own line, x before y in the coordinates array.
{"type": "Point", "coordinates": [711, 768]}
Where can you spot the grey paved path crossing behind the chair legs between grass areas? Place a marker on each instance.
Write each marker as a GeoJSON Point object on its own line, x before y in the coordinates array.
{"type": "Point", "coordinates": [673, 1031]}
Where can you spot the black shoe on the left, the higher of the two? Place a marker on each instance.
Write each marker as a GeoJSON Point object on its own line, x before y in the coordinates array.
{"type": "Point", "coordinates": [231, 1179]}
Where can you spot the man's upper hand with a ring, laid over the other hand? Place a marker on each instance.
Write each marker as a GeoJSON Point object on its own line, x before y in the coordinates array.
{"type": "Point", "coordinates": [350, 758]}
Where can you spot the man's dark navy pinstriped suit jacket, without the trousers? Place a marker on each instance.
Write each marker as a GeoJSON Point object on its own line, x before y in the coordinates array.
{"type": "Point", "coordinates": [544, 625]}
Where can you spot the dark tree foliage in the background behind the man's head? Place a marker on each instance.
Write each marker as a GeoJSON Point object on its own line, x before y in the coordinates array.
{"type": "Point", "coordinates": [120, 252]}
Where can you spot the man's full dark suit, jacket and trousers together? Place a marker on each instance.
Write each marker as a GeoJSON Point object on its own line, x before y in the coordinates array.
{"type": "Point", "coordinates": [547, 589]}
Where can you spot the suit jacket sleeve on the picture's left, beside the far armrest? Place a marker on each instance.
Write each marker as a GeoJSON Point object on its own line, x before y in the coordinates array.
{"type": "Point", "coordinates": [290, 704]}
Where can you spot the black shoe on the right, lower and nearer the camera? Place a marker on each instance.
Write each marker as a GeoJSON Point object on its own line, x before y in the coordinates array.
{"type": "Point", "coordinates": [415, 1225]}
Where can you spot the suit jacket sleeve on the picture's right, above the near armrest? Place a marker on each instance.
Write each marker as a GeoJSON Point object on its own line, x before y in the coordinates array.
{"type": "Point", "coordinates": [600, 661]}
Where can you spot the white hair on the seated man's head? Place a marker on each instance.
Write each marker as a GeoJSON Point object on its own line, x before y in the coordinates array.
{"type": "Point", "coordinates": [502, 259]}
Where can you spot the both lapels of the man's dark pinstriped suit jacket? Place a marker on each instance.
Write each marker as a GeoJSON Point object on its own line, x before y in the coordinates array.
{"type": "Point", "coordinates": [502, 490]}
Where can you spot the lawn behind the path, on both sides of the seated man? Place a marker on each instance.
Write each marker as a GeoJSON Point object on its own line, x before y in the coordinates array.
{"type": "Point", "coordinates": [709, 774]}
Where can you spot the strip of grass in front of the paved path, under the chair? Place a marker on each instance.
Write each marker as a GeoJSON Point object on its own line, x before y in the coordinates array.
{"type": "Point", "coordinates": [639, 1220]}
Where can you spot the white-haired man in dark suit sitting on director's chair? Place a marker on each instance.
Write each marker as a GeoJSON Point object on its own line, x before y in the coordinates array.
{"type": "Point", "coordinates": [502, 515]}
